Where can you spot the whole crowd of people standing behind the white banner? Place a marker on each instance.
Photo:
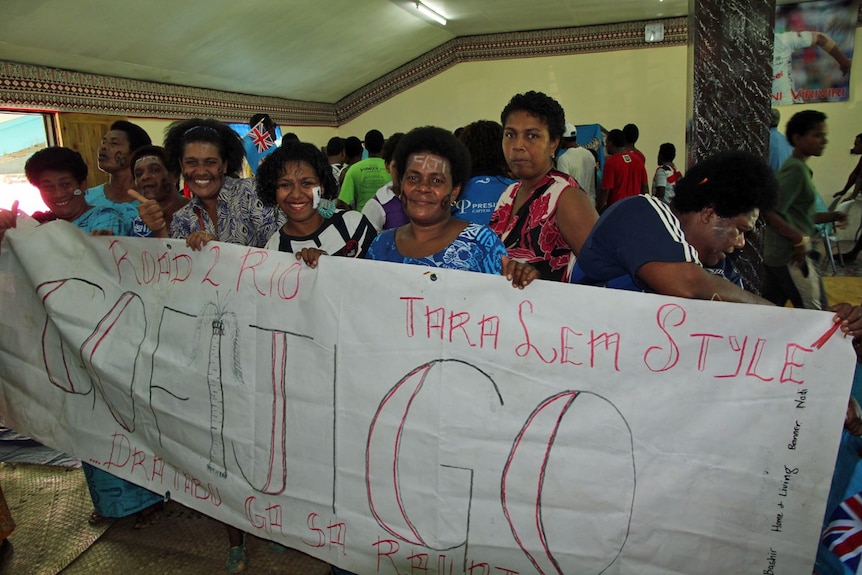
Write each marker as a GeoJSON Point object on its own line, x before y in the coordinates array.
{"type": "Point", "coordinates": [519, 198]}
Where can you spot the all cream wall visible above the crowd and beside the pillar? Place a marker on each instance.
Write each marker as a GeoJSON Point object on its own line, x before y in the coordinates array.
{"type": "Point", "coordinates": [646, 87]}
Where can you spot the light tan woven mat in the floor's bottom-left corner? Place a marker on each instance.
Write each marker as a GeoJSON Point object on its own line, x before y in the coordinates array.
{"type": "Point", "coordinates": [50, 506]}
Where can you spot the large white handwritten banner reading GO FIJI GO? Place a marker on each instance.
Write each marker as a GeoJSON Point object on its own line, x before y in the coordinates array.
{"type": "Point", "coordinates": [395, 419]}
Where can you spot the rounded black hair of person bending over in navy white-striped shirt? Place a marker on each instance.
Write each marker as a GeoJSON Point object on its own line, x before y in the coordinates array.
{"type": "Point", "coordinates": [731, 183]}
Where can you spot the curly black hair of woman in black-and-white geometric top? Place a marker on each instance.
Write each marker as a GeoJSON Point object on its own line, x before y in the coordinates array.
{"type": "Point", "coordinates": [272, 168]}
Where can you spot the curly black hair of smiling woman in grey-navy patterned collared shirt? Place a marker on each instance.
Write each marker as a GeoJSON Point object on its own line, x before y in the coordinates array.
{"type": "Point", "coordinates": [208, 130]}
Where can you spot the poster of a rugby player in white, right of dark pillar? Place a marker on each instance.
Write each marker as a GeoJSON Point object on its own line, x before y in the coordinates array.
{"type": "Point", "coordinates": [813, 51]}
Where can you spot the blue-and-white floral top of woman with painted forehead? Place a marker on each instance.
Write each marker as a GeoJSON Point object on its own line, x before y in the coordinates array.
{"type": "Point", "coordinates": [476, 249]}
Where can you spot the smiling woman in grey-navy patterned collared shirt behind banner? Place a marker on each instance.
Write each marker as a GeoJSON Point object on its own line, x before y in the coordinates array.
{"type": "Point", "coordinates": [224, 207]}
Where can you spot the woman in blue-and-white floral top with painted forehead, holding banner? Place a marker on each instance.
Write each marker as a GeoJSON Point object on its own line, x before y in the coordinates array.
{"type": "Point", "coordinates": [433, 166]}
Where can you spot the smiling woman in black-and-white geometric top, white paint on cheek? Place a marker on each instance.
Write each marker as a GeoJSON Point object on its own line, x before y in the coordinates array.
{"type": "Point", "coordinates": [299, 180]}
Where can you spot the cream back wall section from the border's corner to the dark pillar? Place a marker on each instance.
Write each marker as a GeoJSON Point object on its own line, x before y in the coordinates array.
{"type": "Point", "coordinates": [647, 87]}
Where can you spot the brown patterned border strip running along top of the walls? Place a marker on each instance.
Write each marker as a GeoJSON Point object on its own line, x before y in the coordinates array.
{"type": "Point", "coordinates": [29, 87]}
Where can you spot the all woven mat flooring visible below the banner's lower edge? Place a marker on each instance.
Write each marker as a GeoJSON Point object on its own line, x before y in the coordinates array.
{"type": "Point", "coordinates": [50, 505]}
